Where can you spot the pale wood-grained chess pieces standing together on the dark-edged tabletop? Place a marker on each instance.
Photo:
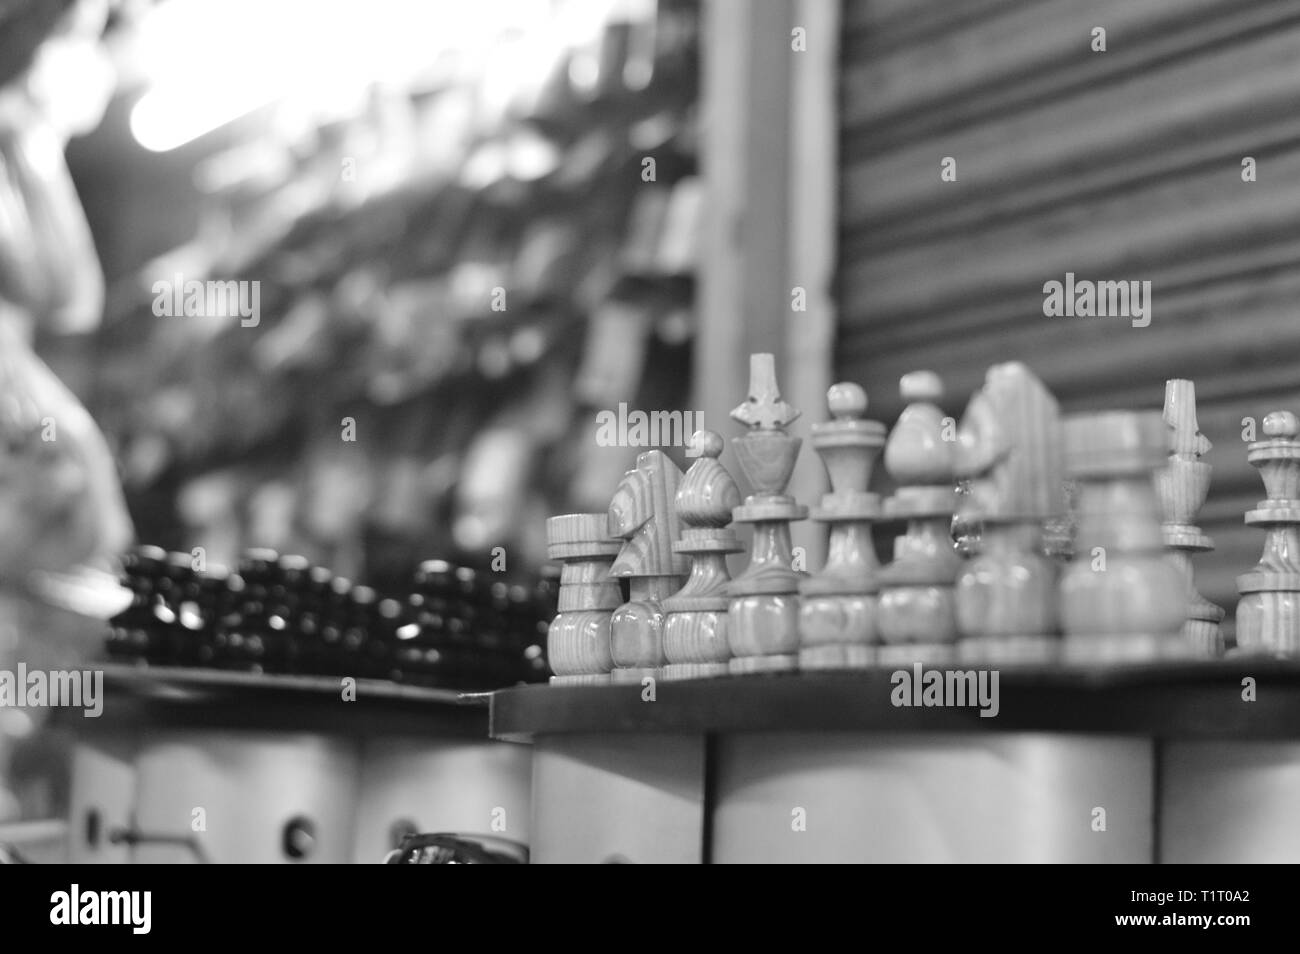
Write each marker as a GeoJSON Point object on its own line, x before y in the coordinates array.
{"type": "Point", "coordinates": [1025, 536]}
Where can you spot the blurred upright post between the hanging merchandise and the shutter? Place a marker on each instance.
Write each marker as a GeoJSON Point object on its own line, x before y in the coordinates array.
{"type": "Point", "coordinates": [769, 164]}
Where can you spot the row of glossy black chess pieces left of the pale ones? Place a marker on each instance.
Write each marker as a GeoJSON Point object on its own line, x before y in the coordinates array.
{"type": "Point", "coordinates": [280, 614]}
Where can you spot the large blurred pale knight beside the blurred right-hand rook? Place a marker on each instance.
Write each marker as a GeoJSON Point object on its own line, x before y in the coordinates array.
{"type": "Point", "coordinates": [1009, 449]}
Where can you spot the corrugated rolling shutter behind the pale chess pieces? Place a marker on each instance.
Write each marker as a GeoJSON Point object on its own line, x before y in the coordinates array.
{"type": "Point", "coordinates": [1125, 164]}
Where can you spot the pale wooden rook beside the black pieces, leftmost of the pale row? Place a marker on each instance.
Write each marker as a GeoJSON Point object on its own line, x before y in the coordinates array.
{"type": "Point", "coordinates": [578, 643]}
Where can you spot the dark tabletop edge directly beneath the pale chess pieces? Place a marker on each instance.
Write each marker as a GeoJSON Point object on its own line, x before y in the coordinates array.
{"type": "Point", "coordinates": [1171, 700]}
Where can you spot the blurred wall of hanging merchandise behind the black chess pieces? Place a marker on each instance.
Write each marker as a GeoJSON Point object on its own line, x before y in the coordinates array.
{"type": "Point", "coordinates": [437, 253]}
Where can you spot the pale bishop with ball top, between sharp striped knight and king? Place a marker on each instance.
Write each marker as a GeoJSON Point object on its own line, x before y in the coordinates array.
{"type": "Point", "coordinates": [695, 630]}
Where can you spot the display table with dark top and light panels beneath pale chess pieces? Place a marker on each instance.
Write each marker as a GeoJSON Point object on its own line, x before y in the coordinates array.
{"type": "Point", "coordinates": [1143, 764]}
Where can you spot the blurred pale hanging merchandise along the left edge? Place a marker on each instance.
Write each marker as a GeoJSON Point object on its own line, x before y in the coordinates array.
{"type": "Point", "coordinates": [62, 509]}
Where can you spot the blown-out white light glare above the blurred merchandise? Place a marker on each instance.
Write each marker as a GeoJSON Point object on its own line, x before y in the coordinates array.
{"type": "Point", "coordinates": [211, 62]}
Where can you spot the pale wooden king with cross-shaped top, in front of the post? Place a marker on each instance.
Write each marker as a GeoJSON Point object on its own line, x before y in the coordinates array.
{"type": "Point", "coordinates": [764, 617]}
